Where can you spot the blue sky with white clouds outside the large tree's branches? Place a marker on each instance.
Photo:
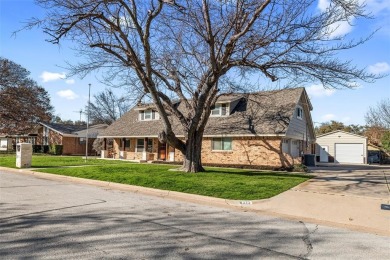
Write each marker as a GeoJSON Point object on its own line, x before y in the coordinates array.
{"type": "Point", "coordinates": [46, 63]}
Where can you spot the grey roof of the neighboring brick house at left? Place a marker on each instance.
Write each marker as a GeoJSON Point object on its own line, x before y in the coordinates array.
{"type": "Point", "coordinates": [76, 130]}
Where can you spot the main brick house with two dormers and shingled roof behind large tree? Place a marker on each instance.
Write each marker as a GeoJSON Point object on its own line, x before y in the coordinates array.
{"type": "Point", "coordinates": [270, 128]}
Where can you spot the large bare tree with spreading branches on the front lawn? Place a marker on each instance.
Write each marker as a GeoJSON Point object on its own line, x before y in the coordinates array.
{"type": "Point", "coordinates": [193, 51]}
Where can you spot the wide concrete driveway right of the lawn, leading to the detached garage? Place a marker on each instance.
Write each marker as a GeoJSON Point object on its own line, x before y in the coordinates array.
{"type": "Point", "coordinates": [344, 195]}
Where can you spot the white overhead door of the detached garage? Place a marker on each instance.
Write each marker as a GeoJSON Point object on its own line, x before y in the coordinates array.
{"type": "Point", "coordinates": [349, 153]}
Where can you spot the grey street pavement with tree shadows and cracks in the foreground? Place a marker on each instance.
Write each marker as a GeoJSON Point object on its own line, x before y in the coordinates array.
{"type": "Point", "coordinates": [46, 219]}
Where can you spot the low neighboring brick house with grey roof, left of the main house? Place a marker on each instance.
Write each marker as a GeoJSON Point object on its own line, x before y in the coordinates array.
{"type": "Point", "coordinates": [71, 137]}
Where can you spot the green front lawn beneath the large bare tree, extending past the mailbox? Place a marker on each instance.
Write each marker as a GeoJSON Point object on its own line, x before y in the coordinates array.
{"type": "Point", "coordinates": [223, 183]}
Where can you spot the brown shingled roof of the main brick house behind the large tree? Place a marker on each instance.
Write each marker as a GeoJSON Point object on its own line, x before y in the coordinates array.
{"type": "Point", "coordinates": [266, 113]}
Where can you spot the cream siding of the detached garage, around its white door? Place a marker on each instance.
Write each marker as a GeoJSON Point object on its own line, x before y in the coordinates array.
{"type": "Point", "coordinates": [340, 137]}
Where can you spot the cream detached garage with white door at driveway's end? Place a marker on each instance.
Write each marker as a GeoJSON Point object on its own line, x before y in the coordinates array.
{"type": "Point", "coordinates": [341, 147]}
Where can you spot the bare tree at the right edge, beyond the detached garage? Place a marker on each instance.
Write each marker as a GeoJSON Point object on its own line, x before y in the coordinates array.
{"type": "Point", "coordinates": [379, 116]}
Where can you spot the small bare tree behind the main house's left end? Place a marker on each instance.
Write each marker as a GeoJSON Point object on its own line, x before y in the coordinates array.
{"type": "Point", "coordinates": [108, 107]}
